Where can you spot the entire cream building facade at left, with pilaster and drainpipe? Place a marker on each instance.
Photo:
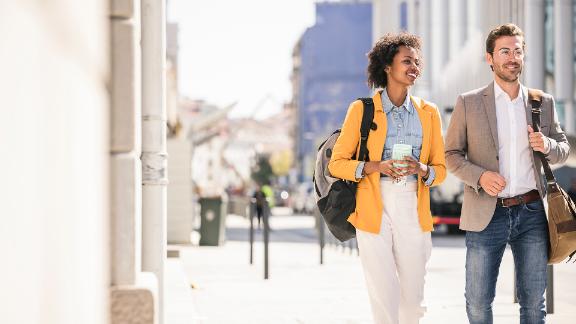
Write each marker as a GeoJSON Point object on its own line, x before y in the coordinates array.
{"type": "Point", "coordinates": [83, 214]}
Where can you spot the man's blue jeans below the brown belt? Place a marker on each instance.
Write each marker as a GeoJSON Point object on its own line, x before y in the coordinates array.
{"type": "Point", "coordinates": [525, 228]}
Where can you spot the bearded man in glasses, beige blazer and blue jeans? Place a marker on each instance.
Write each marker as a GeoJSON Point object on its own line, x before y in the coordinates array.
{"type": "Point", "coordinates": [490, 146]}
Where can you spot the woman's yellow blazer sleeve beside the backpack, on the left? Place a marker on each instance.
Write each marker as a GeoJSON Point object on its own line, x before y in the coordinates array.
{"type": "Point", "coordinates": [341, 164]}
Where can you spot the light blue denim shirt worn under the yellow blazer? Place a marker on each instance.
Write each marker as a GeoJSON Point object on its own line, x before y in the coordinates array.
{"type": "Point", "coordinates": [404, 127]}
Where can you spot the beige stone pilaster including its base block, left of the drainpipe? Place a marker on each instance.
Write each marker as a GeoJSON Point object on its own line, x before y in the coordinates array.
{"type": "Point", "coordinates": [133, 293]}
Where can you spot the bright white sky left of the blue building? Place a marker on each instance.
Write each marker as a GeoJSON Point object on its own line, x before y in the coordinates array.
{"type": "Point", "coordinates": [239, 51]}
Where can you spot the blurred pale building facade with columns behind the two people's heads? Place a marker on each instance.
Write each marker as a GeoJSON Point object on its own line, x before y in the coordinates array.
{"type": "Point", "coordinates": [454, 33]}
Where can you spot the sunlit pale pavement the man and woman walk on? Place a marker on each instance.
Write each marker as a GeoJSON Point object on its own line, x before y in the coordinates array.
{"type": "Point", "coordinates": [227, 289]}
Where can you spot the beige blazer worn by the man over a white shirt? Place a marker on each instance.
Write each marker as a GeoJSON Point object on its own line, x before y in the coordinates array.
{"type": "Point", "coordinates": [472, 148]}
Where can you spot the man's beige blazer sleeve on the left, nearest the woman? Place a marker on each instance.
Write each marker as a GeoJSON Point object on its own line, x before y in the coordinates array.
{"type": "Point", "coordinates": [456, 148]}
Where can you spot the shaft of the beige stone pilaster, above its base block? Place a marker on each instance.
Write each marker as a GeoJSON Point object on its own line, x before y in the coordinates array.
{"type": "Point", "coordinates": [126, 141]}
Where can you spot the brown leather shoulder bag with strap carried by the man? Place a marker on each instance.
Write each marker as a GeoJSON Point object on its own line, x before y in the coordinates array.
{"type": "Point", "coordinates": [561, 209]}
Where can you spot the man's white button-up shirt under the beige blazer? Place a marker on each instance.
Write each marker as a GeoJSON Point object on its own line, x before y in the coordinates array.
{"type": "Point", "coordinates": [514, 149]}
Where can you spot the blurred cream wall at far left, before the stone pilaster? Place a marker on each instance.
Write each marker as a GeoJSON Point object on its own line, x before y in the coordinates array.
{"type": "Point", "coordinates": [54, 223]}
